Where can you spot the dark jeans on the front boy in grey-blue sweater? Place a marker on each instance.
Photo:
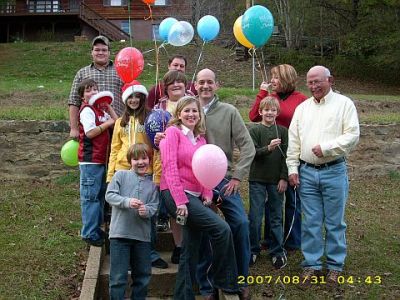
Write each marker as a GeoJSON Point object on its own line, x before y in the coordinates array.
{"type": "Point", "coordinates": [125, 252]}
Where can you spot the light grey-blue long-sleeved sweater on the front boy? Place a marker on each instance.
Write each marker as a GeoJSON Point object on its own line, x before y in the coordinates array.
{"type": "Point", "coordinates": [125, 221]}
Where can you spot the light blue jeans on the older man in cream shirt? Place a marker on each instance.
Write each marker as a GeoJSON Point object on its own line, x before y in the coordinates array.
{"type": "Point", "coordinates": [324, 194]}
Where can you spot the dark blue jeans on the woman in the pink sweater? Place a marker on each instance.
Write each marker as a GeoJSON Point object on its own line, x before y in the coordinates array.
{"type": "Point", "coordinates": [202, 219]}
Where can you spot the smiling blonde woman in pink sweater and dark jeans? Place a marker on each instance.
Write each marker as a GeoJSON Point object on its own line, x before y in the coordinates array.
{"type": "Point", "coordinates": [187, 200]}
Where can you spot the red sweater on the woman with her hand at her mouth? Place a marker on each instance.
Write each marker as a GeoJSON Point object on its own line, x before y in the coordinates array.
{"type": "Point", "coordinates": [287, 105]}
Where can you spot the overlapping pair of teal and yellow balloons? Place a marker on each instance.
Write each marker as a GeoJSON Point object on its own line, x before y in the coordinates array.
{"type": "Point", "coordinates": [255, 27]}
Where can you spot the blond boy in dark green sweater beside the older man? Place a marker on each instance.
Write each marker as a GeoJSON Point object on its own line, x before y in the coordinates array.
{"type": "Point", "coordinates": [268, 175]}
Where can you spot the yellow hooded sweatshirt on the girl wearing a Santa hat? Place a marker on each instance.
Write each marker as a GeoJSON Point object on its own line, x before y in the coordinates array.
{"type": "Point", "coordinates": [122, 139]}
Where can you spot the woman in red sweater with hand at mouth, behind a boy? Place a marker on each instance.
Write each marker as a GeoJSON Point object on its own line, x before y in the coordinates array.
{"type": "Point", "coordinates": [283, 86]}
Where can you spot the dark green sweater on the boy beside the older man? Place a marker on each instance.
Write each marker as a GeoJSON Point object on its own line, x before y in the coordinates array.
{"type": "Point", "coordinates": [268, 166]}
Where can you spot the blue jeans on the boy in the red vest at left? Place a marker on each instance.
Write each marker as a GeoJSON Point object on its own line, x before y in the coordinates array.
{"type": "Point", "coordinates": [92, 192]}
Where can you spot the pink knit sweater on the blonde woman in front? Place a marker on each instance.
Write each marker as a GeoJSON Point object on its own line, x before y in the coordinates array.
{"type": "Point", "coordinates": [176, 157]}
